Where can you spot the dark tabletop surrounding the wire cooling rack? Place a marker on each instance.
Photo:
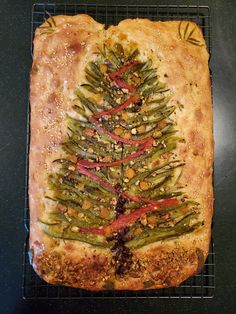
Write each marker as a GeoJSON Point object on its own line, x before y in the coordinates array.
{"type": "Point", "coordinates": [15, 66]}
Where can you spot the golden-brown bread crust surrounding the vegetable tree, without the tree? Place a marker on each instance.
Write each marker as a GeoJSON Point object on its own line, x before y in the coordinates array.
{"type": "Point", "coordinates": [59, 61]}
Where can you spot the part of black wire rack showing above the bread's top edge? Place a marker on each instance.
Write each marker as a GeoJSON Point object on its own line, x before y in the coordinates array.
{"type": "Point", "coordinates": [113, 14]}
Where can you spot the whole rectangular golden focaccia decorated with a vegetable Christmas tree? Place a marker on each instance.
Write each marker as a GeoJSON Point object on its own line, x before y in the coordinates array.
{"type": "Point", "coordinates": [121, 152]}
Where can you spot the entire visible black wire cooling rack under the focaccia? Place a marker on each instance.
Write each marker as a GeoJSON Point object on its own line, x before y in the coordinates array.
{"type": "Point", "coordinates": [198, 286]}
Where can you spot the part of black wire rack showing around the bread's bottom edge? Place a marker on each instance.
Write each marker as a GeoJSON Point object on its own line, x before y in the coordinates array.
{"type": "Point", "coordinates": [198, 286]}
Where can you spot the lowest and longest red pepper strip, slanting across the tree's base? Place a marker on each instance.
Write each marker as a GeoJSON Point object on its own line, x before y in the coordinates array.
{"type": "Point", "coordinates": [129, 219]}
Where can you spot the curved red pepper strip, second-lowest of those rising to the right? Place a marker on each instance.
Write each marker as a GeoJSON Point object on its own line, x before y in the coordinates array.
{"type": "Point", "coordinates": [129, 157]}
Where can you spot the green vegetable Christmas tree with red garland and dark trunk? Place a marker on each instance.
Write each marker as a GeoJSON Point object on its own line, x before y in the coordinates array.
{"type": "Point", "coordinates": [118, 185]}
